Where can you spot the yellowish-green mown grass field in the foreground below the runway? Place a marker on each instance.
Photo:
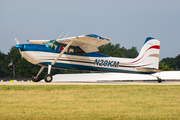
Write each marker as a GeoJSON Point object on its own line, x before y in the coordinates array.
{"type": "Point", "coordinates": [107, 102]}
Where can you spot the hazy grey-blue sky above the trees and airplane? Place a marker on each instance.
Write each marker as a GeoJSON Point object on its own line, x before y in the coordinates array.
{"type": "Point", "coordinates": [126, 22]}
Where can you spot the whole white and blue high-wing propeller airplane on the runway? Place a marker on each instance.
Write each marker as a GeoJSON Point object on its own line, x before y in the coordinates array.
{"type": "Point", "coordinates": [80, 53]}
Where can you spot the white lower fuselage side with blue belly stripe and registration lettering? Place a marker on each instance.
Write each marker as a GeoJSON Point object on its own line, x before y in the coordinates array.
{"type": "Point", "coordinates": [67, 61]}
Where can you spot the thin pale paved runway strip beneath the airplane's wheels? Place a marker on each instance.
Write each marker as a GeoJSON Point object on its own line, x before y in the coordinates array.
{"type": "Point", "coordinates": [92, 83]}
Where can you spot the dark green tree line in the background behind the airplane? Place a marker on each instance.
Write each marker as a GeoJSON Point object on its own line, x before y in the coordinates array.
{"type": "Point", "coordinates": [23, 68]}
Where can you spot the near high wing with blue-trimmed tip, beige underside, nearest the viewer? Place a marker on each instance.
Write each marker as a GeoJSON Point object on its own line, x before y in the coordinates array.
{"type": "Point", "coordinates": [88, 43]}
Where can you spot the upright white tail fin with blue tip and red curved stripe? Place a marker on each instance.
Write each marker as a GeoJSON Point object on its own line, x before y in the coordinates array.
{"type": "Point", "coordinates": [149, 54]}
